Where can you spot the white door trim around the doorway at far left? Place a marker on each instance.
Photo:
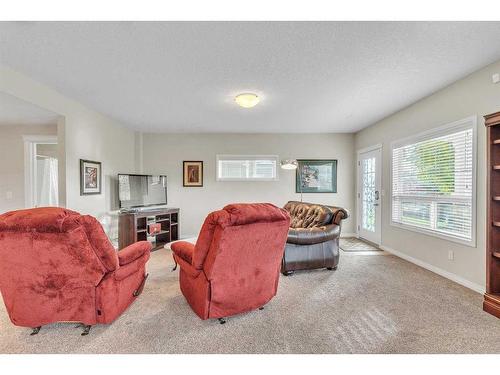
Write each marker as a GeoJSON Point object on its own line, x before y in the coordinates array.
{"type": "Point", "coordinates": [30, 142]}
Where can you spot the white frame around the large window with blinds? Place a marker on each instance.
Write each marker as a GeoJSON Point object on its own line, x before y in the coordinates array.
{"type": "Point", "coordinates": [463, 124]}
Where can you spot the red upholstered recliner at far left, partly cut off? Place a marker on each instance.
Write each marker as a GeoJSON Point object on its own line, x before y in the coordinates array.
{"type": "Point", "coordinates": [58, 266]}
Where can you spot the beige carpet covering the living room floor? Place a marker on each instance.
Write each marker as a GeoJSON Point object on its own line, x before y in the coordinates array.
{"type": "Point", "coordinates": [371, 304]}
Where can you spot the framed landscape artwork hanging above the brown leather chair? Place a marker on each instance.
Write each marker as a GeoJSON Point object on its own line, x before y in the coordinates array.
{"type": "Point", "coordinates": [316, 176]}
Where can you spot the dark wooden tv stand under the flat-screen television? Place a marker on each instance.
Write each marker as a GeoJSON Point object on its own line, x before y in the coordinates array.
{"type": "Point", "coordinates": [133, 226]}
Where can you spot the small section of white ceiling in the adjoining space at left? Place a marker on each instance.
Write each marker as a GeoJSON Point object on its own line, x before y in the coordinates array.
{"type": "Point", "coordinates": [14, 111]}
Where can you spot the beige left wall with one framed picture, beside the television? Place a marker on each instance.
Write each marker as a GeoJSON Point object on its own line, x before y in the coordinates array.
{"type": "Point", "coordinates": [82, 134]}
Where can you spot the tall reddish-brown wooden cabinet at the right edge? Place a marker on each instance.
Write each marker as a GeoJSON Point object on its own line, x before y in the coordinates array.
{"type": "Point", "coordinates": [491, 302]}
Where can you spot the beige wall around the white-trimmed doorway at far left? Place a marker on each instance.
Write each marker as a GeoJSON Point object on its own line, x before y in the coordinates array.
{"type": "Point", "coordinates": [12, 162]}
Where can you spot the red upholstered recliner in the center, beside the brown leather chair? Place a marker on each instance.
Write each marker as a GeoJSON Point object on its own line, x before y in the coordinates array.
{"type": "Point", "coordinates": [234, 266]}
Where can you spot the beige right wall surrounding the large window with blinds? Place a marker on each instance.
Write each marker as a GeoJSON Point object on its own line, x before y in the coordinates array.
{"type": "Point", "coordinates": [473, 95]}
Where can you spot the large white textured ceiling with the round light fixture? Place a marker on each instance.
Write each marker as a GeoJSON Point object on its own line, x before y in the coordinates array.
{"type": "Point", "coordinates": [311, 76]}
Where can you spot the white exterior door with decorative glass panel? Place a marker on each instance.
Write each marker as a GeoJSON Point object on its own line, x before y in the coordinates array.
{"type": "Point", "coordinates": [369, 194]}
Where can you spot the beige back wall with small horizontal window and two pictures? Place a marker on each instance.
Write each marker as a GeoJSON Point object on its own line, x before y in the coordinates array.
{"type": "Point", "coordinates": [164, 153]}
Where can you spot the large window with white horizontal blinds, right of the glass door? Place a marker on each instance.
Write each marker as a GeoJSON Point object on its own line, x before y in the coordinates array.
{"type": "Point", "coordinates": [433, 182]}
